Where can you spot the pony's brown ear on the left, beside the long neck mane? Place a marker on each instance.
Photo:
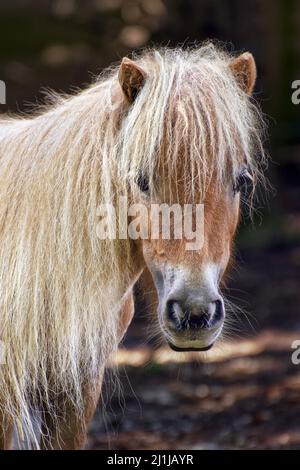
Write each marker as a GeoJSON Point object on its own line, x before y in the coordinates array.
{"type": "Point", "coordinates": [131, 78]}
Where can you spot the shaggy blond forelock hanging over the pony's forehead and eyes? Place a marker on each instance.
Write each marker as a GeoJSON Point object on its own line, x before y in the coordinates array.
{"type": "Point", "coordinates": [192, 105]}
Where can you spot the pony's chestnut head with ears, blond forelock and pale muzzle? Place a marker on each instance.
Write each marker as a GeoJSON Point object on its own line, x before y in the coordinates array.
{"type": "Point", "coordinates": [191, 133]}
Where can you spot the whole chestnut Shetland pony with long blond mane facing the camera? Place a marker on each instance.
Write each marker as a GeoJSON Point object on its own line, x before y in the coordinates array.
{"type": "Point", "coordinates": [173, 125]}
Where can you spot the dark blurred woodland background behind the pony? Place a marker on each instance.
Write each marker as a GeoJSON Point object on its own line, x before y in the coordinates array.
{"type": "Point", "coordinates": [246, 392]}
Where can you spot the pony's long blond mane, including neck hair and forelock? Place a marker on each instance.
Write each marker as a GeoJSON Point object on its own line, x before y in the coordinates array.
{"type": "Point", "coordinates": [61, 287]}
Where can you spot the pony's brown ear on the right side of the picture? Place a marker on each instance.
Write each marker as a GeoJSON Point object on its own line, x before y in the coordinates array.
{"type": "Point", "coordinates": [244, 70]}
